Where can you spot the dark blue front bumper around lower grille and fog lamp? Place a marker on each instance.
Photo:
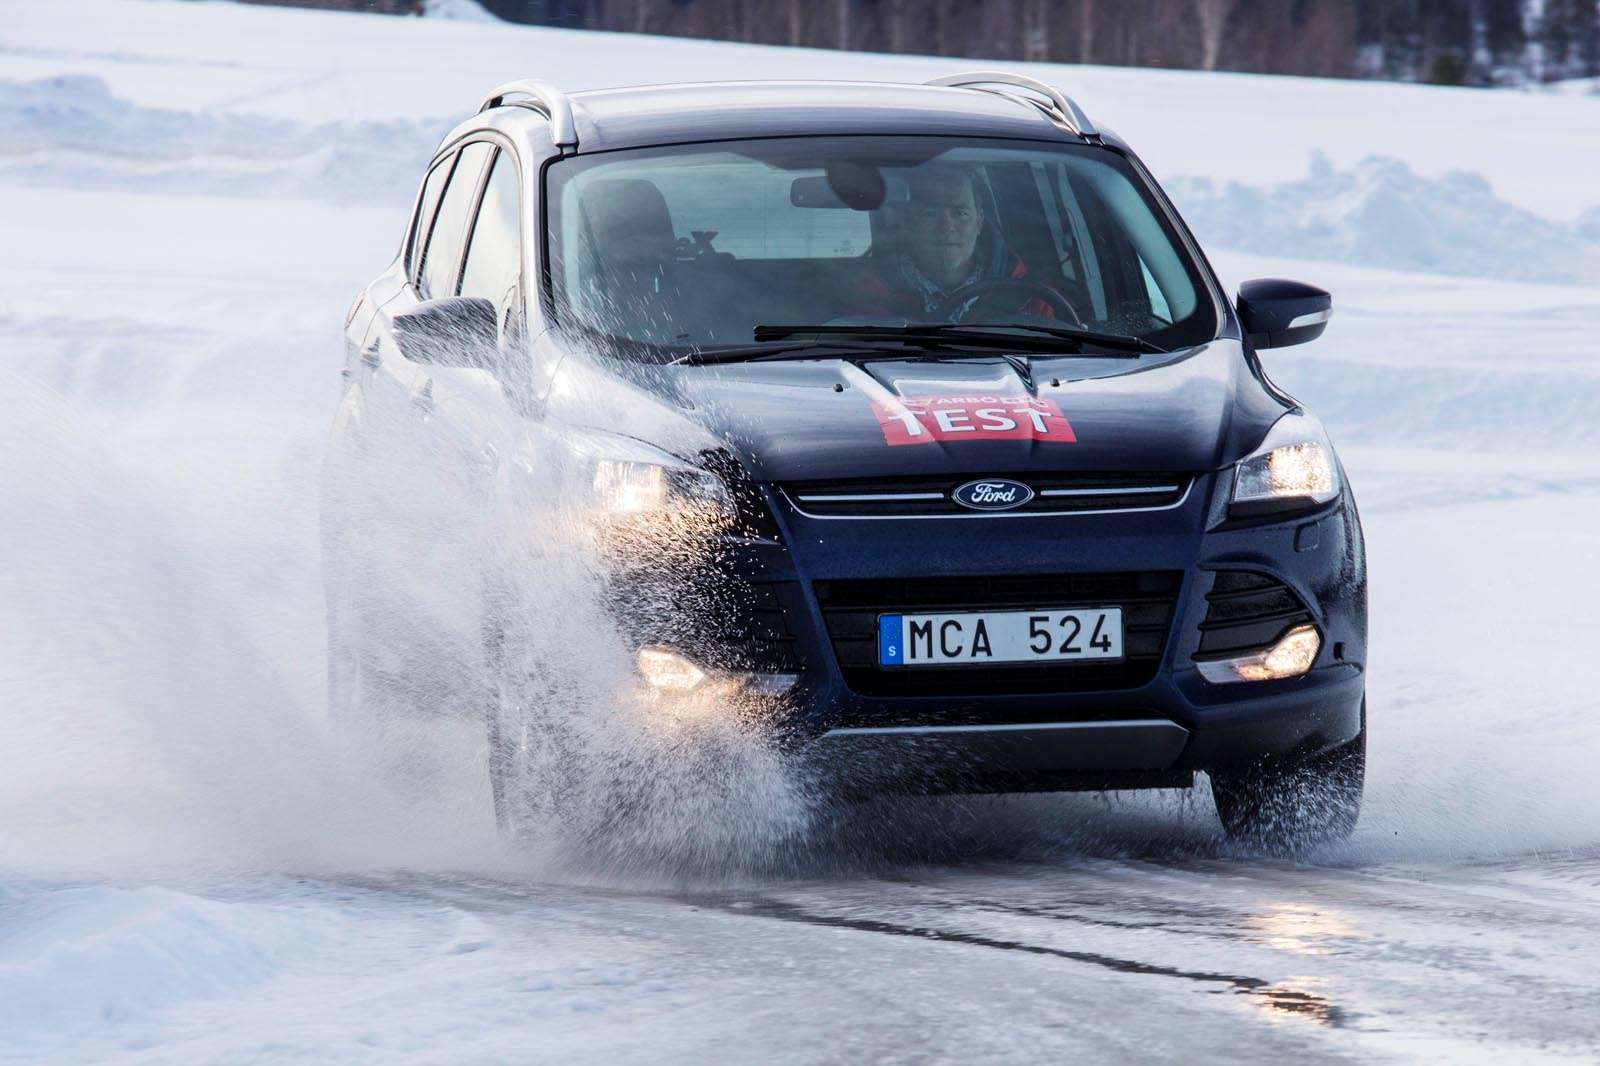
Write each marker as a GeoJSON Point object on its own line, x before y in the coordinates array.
{"type": "Point", "coordinates": [1156, 731]}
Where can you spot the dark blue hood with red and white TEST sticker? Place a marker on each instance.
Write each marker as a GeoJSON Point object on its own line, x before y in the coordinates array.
{"type": "Point", "coordinates": [838, 419]}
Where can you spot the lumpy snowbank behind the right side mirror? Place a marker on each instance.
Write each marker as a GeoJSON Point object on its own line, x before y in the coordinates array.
{"type": "Point", "coordinates": [1383, 214]}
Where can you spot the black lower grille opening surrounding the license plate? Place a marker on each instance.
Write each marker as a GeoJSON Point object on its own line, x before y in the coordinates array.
{"type": "Point", "coordinates": [852, 614]}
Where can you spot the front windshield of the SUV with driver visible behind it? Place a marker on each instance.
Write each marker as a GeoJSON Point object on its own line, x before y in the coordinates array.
{"type": "Point", "coordinates": [697, 246]}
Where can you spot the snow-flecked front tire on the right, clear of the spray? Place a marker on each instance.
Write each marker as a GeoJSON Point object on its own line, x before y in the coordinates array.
{"type": "Point", "coordinates": [1295, 804]}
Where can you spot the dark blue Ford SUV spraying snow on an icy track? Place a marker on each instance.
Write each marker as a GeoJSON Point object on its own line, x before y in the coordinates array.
{"type": "Point", "coordinates": [911, 411]}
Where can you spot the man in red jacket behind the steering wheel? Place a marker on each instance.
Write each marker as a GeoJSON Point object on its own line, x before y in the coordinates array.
{"type": "Point", "coordinates": [945, 246]}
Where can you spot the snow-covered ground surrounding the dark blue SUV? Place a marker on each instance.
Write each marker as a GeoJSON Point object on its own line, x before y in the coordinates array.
{"type": "Point", "coordinates": [196, 868]}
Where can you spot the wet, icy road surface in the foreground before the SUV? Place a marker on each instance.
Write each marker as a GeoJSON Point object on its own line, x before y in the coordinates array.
{"type": "Point", "coordinates": [1185, 960]}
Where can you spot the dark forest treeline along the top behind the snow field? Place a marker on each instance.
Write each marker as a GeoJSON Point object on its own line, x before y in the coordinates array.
{"type": "Point", "coordinates": [1452, 42]}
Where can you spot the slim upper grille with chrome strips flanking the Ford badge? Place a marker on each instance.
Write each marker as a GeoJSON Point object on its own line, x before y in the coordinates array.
{"type": "Point", "coordinates": [1055, 494]}
